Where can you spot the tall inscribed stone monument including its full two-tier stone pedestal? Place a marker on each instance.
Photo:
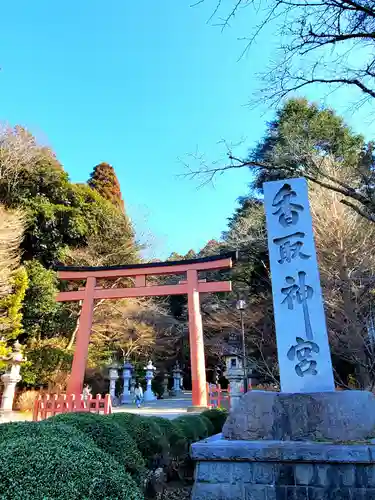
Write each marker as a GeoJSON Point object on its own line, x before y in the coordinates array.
{"type": "Point", "coordinates": [307, 441]}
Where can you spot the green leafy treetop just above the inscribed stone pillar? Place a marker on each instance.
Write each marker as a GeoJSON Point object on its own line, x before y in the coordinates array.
{"type": "Point", "coordinates": [301, 131]}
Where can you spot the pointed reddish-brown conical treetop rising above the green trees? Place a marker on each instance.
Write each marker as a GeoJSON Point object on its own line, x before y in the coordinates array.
{"type": "Point", "coordinates": [104, 180]}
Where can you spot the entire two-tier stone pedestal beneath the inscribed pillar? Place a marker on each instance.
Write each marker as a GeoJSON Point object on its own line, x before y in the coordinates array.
{"type": "Point", "coordinates": [278, 446]}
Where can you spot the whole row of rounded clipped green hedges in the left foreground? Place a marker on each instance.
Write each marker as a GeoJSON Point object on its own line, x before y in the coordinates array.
{"type": "Point", "coordinates": [87, 456]}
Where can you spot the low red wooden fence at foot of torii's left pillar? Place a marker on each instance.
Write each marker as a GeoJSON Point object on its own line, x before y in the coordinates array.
{"type": "Point", "coordinates": [49, 405]}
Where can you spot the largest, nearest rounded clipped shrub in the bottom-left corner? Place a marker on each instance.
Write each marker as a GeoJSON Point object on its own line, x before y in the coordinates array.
{"type": "Point", "coordinates": [61, 468]}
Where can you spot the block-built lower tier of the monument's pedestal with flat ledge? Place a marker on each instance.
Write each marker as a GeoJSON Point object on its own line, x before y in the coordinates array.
{"type": "Point", "coordinates": [283, 470]}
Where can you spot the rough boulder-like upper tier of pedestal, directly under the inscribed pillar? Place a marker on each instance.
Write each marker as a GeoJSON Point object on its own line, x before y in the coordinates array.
{"type": "Point", "coordinates": [340, 415]}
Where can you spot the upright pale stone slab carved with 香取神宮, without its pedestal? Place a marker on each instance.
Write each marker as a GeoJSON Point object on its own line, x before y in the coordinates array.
{"type": "Point", "coordinates": [301, 332]}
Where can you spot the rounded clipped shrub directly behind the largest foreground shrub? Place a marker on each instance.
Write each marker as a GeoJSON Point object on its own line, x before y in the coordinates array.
{"type": "Point", "coordinates": [108, 436]}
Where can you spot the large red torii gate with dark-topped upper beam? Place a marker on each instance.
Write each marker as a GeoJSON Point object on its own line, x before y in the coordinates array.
{"type": "Point", "coordinates": [191, 286]}
